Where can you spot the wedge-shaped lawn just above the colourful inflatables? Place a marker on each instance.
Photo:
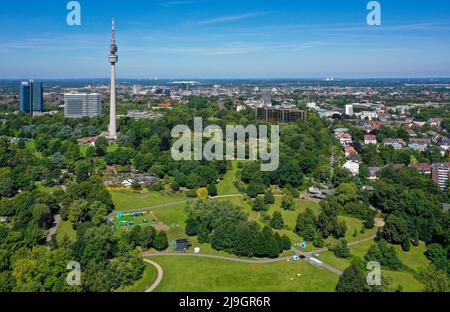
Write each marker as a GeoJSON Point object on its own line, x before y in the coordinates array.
{"type": "Point", "coordinates": [129, 200]}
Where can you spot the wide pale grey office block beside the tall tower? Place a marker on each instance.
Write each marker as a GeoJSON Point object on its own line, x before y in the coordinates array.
{"type": "Point", "coordinates": [78, 105]}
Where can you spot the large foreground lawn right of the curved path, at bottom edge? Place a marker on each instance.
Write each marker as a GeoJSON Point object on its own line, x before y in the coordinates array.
{"type": "Point", "coordinates": [192, 274]}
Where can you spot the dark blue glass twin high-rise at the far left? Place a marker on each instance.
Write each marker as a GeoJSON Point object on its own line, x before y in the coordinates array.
{"type": "Point", "coordinates": [31, 97]}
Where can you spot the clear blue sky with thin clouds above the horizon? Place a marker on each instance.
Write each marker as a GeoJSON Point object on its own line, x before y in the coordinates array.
{"type": "Point", "coordinates": [226, 39]}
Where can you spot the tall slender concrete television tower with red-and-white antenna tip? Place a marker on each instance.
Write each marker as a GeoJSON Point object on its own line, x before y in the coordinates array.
{"type": "Point", "coordinates": [113, 59]}
